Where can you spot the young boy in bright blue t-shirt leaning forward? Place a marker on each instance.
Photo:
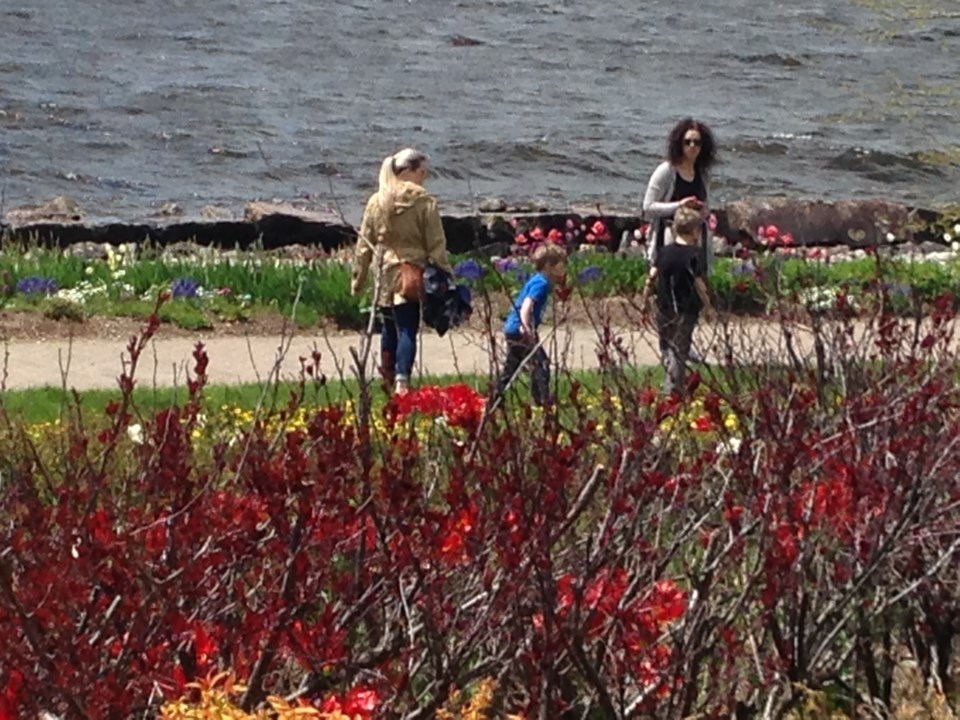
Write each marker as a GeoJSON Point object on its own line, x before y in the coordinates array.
{"type": "Point", "coordinates": [520, 329]}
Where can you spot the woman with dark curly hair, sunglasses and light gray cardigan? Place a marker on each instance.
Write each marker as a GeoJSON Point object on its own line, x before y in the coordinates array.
{"type": "Point", "coordinates": [681, 180]}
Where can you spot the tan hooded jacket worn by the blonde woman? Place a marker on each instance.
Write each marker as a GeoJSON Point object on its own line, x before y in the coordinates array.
{"type": "Point", "coordinates": [415, 235]}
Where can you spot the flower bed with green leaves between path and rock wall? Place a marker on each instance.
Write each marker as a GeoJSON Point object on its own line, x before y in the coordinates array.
{"type": "Point", "coordinates": [216, 289]}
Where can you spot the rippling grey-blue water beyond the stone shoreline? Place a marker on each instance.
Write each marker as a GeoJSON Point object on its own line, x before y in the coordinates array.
{"type": "Point", "coordinates": [127, 104]}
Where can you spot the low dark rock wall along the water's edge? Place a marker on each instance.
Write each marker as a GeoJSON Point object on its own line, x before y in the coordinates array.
{"type": "Point", "coordinates": [853, 224]}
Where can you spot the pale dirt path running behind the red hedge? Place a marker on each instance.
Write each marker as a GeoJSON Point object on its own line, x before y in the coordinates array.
{"type": "Point", "coordinates": [96, 362]}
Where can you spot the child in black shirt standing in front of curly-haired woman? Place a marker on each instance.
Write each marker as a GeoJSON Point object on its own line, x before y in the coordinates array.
{"type": "Point", "coordinates": [681, 295]}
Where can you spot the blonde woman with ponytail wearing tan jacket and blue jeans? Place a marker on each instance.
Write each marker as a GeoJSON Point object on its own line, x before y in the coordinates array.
{"type": "Point", "coordinates": [400, 234]}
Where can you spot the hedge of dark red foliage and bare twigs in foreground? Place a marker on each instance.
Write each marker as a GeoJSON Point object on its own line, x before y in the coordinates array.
{"type": "Point", "coordinates": [617, 570]}
